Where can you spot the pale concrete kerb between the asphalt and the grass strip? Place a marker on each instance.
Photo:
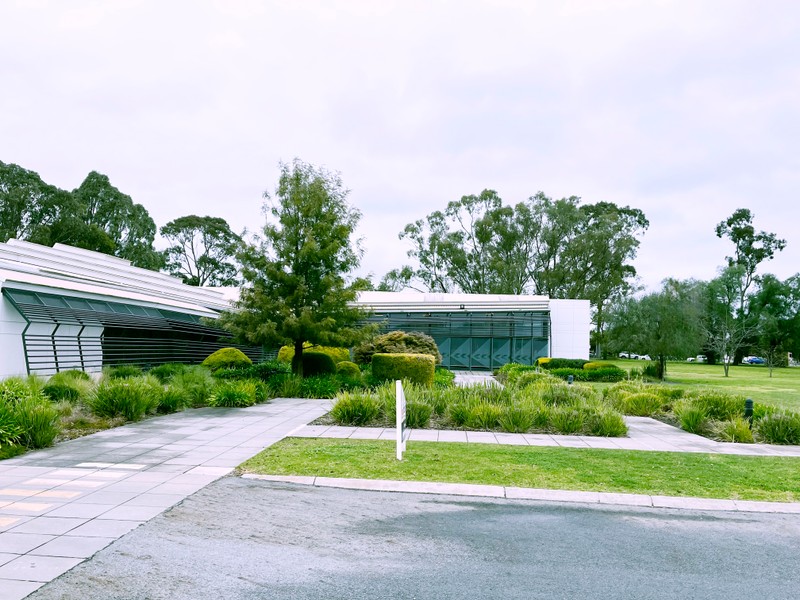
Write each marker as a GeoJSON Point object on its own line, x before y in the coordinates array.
{"type": "Point", "coordinates": [542, 495]}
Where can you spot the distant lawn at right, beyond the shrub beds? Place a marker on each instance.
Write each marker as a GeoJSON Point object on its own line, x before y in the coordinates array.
{"type": "Point", "coordinates": [750, 381]}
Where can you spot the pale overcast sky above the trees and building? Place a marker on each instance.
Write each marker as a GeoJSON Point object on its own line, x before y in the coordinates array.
{"type": "Point", "coordinates": [687, 110]}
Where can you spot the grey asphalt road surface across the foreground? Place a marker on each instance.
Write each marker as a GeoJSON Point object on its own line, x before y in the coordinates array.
{"type": "Point", "coordinates": [244, 539]}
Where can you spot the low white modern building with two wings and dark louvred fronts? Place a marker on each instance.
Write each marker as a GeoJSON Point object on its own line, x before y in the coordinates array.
{"type": "Point", "coordinates": [67, 308]}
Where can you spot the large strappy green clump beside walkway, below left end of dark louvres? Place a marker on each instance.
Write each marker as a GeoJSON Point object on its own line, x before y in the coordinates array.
{"type": "Point", "coordinates": [131, 397]}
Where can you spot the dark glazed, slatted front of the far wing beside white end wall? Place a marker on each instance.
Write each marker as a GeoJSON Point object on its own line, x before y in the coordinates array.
{"type": "Point", "coordinates": [478, 340]}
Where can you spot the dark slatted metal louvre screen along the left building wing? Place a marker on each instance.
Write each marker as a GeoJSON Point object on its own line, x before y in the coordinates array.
{"type": "Point", "coordinates": [75, 333]}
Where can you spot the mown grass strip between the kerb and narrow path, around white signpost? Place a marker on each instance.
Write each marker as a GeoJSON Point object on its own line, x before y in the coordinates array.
{"type": "Point", "coordinates": [660, 473]}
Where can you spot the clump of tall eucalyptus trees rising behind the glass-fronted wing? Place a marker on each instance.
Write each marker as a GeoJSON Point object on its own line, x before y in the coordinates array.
{"type": "Point", "coordinates": [559, 248]}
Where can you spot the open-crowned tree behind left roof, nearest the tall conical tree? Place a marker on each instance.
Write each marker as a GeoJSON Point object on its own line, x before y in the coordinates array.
{"type": "Point", "coordinates": [202, 251]}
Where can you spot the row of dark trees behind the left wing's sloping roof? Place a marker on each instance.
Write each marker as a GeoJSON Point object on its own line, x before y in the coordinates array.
{"type": "Point", "coordinates": [98, 216]}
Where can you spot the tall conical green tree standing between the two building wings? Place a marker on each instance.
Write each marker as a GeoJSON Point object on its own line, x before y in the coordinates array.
{"type": "Point", "coordinates": [295, 287]}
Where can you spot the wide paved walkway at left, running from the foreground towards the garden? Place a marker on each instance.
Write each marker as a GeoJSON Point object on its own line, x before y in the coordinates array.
{"type": "Point", "coordinates": [61, 505]}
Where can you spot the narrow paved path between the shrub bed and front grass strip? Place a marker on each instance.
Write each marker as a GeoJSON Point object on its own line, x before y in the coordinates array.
{"type": "Point", "coordinates": [644, 433]}
